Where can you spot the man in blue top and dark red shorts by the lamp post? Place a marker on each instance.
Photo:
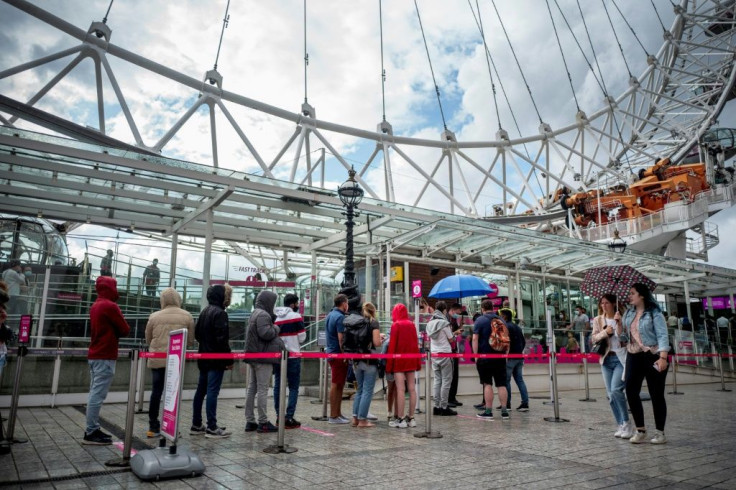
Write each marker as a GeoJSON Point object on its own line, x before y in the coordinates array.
{"type": "Point", "coordinates": [334, 332]}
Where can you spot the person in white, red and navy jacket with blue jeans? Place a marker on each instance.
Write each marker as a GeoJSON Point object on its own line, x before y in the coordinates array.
{"type": "Point", "coordinates": [293, 334]}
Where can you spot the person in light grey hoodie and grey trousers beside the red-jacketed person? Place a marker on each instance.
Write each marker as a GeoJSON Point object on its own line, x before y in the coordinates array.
{"type": "Point", "coordinates": [440, 335]}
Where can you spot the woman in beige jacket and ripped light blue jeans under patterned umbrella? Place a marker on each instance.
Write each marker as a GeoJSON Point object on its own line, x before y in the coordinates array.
{"type": "Point", "coordinates": [607, 327]}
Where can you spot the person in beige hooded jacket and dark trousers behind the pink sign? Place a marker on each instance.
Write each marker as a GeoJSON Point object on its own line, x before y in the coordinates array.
{"type": "Point", "coordinates": [169, 318]}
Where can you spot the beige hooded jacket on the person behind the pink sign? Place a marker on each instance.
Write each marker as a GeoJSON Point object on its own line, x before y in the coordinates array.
{"type": "Point", "coordinates": [169, 318]}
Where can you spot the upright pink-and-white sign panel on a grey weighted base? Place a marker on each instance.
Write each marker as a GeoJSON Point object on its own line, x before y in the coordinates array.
{"type": "Point", "coordinates": [175, 358]}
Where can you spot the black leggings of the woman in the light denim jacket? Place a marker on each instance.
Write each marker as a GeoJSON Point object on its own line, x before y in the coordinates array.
{"type": "Point", "coordinates": [639, 367]}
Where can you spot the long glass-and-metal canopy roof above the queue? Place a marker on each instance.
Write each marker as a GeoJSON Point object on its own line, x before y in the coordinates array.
{"type": "Point", "coordinates": [72, 181]}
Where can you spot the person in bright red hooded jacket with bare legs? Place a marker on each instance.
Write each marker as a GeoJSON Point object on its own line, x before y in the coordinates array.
{"type": "Point", "coordinates": [403, 340]}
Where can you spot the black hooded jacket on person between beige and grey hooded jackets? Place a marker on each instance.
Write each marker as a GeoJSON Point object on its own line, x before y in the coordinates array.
{"type": "Point", "coordinates": [212, 330]}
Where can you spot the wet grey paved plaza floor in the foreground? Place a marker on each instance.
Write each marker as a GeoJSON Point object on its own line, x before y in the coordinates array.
{"type": "Point", "coordinates": [525, 452]}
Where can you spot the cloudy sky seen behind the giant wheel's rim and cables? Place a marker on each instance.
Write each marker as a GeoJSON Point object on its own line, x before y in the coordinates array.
{"type": "Point", "coordinates": [262, 58]}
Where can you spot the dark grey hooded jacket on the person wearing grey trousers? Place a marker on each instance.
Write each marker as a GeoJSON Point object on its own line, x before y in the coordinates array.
{"type": "Point", "coordinates": [262, 334]}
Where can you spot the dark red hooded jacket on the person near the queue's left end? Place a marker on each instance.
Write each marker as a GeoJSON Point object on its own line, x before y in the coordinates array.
{"type": "Point", "coordinates": [107, 324]}
